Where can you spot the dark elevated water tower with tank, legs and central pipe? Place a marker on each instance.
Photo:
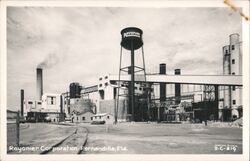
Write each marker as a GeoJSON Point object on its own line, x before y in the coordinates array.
{"type": "Point", "coordinates": [131, 40]}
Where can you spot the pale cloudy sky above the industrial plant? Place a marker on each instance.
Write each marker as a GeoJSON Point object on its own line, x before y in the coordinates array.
{"type": "Point", "coordinates": [80, 44]}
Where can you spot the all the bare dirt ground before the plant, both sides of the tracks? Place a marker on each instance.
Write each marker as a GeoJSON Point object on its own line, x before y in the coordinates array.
{"type": "Point", "coordinates": [137, 138]}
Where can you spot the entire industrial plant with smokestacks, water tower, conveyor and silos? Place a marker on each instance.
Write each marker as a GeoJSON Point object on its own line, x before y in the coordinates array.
{"type": "Point", "coordinates": [135, 95]}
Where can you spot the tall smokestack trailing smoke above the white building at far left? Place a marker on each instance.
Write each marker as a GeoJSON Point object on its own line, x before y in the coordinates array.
{"type": "Point", "coordinates": [39, 83]}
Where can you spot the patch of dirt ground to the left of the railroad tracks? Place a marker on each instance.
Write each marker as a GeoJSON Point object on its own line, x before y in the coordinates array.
{"type": "Point", "coordinates": [41, 136]}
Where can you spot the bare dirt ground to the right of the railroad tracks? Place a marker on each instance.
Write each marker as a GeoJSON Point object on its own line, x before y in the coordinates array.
{"type": "Point", "coordinates": [143, 138]}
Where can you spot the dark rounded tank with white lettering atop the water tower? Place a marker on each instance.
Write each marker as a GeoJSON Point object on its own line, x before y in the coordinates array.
{"type": "Point", "coordinates": [131, 38]}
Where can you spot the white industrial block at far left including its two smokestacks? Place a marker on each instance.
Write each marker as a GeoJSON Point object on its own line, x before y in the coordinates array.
{"type": "Point", "coordinates": [47, 107]}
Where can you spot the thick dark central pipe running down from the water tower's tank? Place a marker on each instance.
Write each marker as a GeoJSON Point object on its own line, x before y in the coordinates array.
{"type": "Point", "coordinates": [132, 81]}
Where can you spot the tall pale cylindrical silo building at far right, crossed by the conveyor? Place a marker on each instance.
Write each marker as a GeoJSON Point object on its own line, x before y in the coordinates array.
{"type": "Point", "coordinates": [231, 102]}
